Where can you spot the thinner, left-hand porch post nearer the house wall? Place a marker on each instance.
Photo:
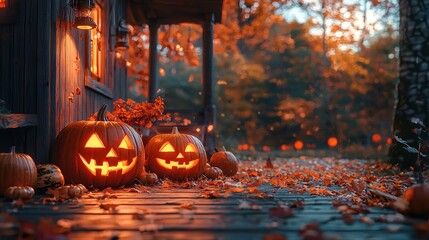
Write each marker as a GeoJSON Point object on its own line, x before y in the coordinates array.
{"type": "Point", "coordinates": [153, 60]}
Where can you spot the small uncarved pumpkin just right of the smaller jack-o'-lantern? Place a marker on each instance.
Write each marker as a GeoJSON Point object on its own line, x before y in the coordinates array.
{"type": "Point", "coordinates": [226, 161]}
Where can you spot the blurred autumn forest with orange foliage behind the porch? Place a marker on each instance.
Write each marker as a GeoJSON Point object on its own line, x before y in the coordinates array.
{"type": "Point", "coordinates": [285, 71]}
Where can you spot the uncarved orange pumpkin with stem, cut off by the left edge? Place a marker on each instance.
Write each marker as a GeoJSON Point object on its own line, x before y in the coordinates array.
{"type": "Point", "coordinates": [16, 169]}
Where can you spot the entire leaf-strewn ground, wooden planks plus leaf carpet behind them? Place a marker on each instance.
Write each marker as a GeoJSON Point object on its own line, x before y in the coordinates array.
{"type": "Point", "coordinates": [259, 190]}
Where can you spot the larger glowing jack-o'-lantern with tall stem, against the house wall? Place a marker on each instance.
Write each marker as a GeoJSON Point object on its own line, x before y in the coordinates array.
{"type": "Point", "coordinates": [99, 153]}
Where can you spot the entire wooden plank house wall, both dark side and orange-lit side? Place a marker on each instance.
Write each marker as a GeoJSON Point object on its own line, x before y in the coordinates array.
{"type": "Point", "coordinates": [39, 55]}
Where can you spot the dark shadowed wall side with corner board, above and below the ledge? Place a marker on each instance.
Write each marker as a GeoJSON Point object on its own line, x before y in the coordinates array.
{"type": "Point", "coordinates": [23, 70]}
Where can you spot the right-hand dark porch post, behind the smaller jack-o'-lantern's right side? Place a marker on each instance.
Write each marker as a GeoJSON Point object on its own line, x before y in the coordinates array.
{"type": "Point", "coordinates": [208, 88]}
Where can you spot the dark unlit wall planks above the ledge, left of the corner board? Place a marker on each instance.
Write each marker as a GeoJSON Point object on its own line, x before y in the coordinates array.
{"type": "Point", "coordinates": [18, 53]}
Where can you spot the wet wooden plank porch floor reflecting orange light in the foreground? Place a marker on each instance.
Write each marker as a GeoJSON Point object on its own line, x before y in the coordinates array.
{"type": "Point", "coordinates": [166, 212]}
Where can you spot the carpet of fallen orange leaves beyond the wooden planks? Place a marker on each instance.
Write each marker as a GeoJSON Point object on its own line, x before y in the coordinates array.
{"type": "Point", "coordinates": [370, 183]}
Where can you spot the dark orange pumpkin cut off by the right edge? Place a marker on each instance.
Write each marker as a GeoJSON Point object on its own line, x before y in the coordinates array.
{"type": "Point", "coordinates": [418, 199]}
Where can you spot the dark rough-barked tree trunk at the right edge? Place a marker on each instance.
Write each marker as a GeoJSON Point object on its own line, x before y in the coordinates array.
{"type": "Point", "coordinates": [413, 87]}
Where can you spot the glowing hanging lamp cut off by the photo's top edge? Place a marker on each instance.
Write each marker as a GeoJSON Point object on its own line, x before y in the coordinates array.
{"type": "Point", "coordinates": [83, 19]}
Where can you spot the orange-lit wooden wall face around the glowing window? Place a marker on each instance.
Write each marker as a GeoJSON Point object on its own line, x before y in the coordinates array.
{"type": "Point", "coordinates": [71, 58]}
